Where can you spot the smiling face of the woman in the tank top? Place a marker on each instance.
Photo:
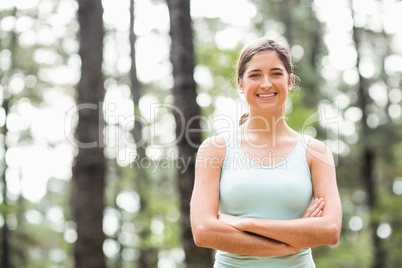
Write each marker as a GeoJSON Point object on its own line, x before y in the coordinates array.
{"type": "Point", "coordinates": [265, 83]}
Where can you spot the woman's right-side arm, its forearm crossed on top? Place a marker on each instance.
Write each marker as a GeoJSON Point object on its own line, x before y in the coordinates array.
{"type": "Point", "coordinates": [307, 231]}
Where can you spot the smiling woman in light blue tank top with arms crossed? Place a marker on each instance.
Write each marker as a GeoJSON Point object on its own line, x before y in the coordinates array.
{"type": "Point", "coordinates": [266, 194]}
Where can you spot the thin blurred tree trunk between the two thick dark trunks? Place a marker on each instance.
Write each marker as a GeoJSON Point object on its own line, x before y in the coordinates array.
{"type": "Point", "coordinates": [148, 254]}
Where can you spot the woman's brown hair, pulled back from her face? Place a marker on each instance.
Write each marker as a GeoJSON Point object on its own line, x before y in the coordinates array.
{"type": "Point", "coordinates": [263, 44]}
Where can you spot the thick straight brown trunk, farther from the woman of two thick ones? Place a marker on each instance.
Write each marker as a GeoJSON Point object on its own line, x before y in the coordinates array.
{"type": "Point", "coordinates": [90, 164]}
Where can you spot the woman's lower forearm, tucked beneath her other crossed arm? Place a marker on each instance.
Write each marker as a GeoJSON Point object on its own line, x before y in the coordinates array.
{"type": "Point", "coordinates": [220, 236]}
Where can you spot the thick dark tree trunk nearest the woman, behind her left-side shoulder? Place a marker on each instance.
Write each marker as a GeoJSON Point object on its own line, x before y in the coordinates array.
{"type": "Point", "coordinates": [187, 122]}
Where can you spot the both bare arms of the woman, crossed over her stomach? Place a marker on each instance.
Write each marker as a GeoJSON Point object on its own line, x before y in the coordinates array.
{"type": "Point", "coordinates": [320, 224]}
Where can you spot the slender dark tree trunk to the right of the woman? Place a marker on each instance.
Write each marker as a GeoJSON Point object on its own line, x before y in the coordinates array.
{"type": "Point", "coordinates": [368, 156]}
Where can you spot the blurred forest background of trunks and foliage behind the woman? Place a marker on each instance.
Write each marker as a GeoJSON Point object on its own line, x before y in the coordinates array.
{"type": "Point", "coordinates": [103, 104]}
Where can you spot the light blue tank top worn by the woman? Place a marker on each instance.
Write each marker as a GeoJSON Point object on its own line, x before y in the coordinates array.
{"type": "Point", "coordinates": [282, 191]}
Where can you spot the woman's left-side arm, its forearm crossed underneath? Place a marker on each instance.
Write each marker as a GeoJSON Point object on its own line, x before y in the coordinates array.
{"type": "Point", "coordinates": [207, 230]}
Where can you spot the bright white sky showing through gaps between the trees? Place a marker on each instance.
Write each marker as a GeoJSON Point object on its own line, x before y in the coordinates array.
{"type": "Point", "coordinates": [31, 165]}
